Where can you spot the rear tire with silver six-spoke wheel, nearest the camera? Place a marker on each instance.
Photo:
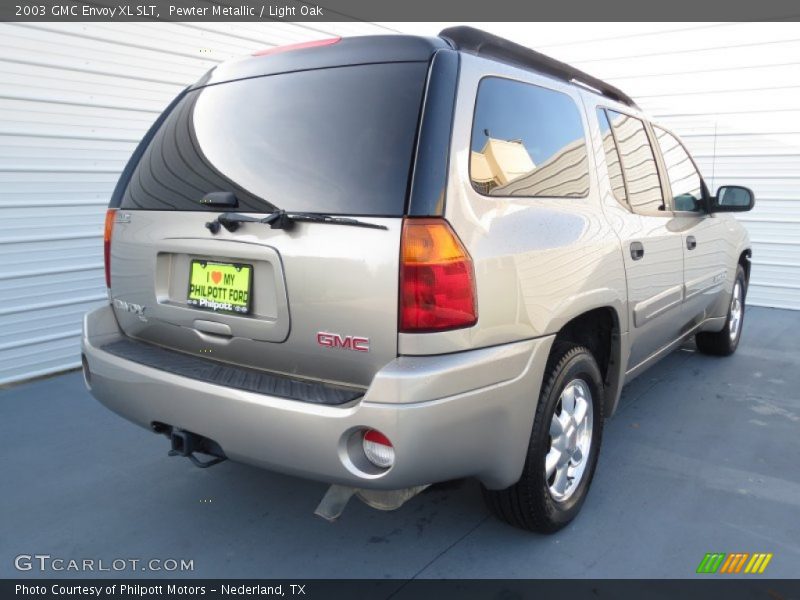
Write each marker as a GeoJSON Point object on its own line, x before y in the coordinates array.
{"type": "Point", "coordinates": [561, 460]}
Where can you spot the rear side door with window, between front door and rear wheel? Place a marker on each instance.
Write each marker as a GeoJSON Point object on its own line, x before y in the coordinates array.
{"type": "Point", "coordinates": [652, 249]}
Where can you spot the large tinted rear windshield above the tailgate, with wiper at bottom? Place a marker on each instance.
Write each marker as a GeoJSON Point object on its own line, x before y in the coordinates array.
{"type": "Point", "coordinates": [337, 140]}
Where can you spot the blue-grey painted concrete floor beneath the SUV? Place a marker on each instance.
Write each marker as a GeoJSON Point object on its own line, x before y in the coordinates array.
{"type": "Point", "coordinates": [703, 456]}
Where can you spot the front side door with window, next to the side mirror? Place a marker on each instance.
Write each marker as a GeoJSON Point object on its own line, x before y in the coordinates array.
{"type": "Point", "coordinates": [704, 255]}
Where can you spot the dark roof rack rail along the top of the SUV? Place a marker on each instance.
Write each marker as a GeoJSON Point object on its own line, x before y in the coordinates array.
{"type": "Point", "coordinates": [480, 43]}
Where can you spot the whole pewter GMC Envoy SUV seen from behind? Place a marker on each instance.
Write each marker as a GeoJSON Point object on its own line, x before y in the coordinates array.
{"type": "Point", "coordinates": [386, 262]}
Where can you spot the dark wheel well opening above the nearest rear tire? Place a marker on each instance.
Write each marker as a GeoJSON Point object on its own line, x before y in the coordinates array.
{"type": "Point", "coordinates": [598, 330]}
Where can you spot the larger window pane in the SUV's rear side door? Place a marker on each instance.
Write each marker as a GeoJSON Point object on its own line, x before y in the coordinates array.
{"type": "Point", "coordinates": [639, 164]}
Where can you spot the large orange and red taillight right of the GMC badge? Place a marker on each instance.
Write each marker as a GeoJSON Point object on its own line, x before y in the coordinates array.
{"type": "Point", "coordinates": [437, 282]}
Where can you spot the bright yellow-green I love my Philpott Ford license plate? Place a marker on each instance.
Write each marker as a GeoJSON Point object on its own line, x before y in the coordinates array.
{"type": "Point", "coordinates": [222, 287]}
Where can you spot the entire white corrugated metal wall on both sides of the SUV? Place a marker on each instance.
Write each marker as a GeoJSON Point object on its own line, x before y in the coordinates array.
{"type": "Point", "coordinates": [75, 99]}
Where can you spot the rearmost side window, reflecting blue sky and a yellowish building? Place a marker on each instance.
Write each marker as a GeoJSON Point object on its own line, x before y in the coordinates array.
{"type": "Point", "coordinates": [527, 141]}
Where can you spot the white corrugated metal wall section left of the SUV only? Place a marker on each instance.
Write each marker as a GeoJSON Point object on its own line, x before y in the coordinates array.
{"type": "Point", "coordinates": [75, 99]}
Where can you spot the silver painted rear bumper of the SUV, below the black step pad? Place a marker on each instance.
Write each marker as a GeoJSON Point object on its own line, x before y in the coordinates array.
{"type": "Point", "coordinates": [449, 416]}
